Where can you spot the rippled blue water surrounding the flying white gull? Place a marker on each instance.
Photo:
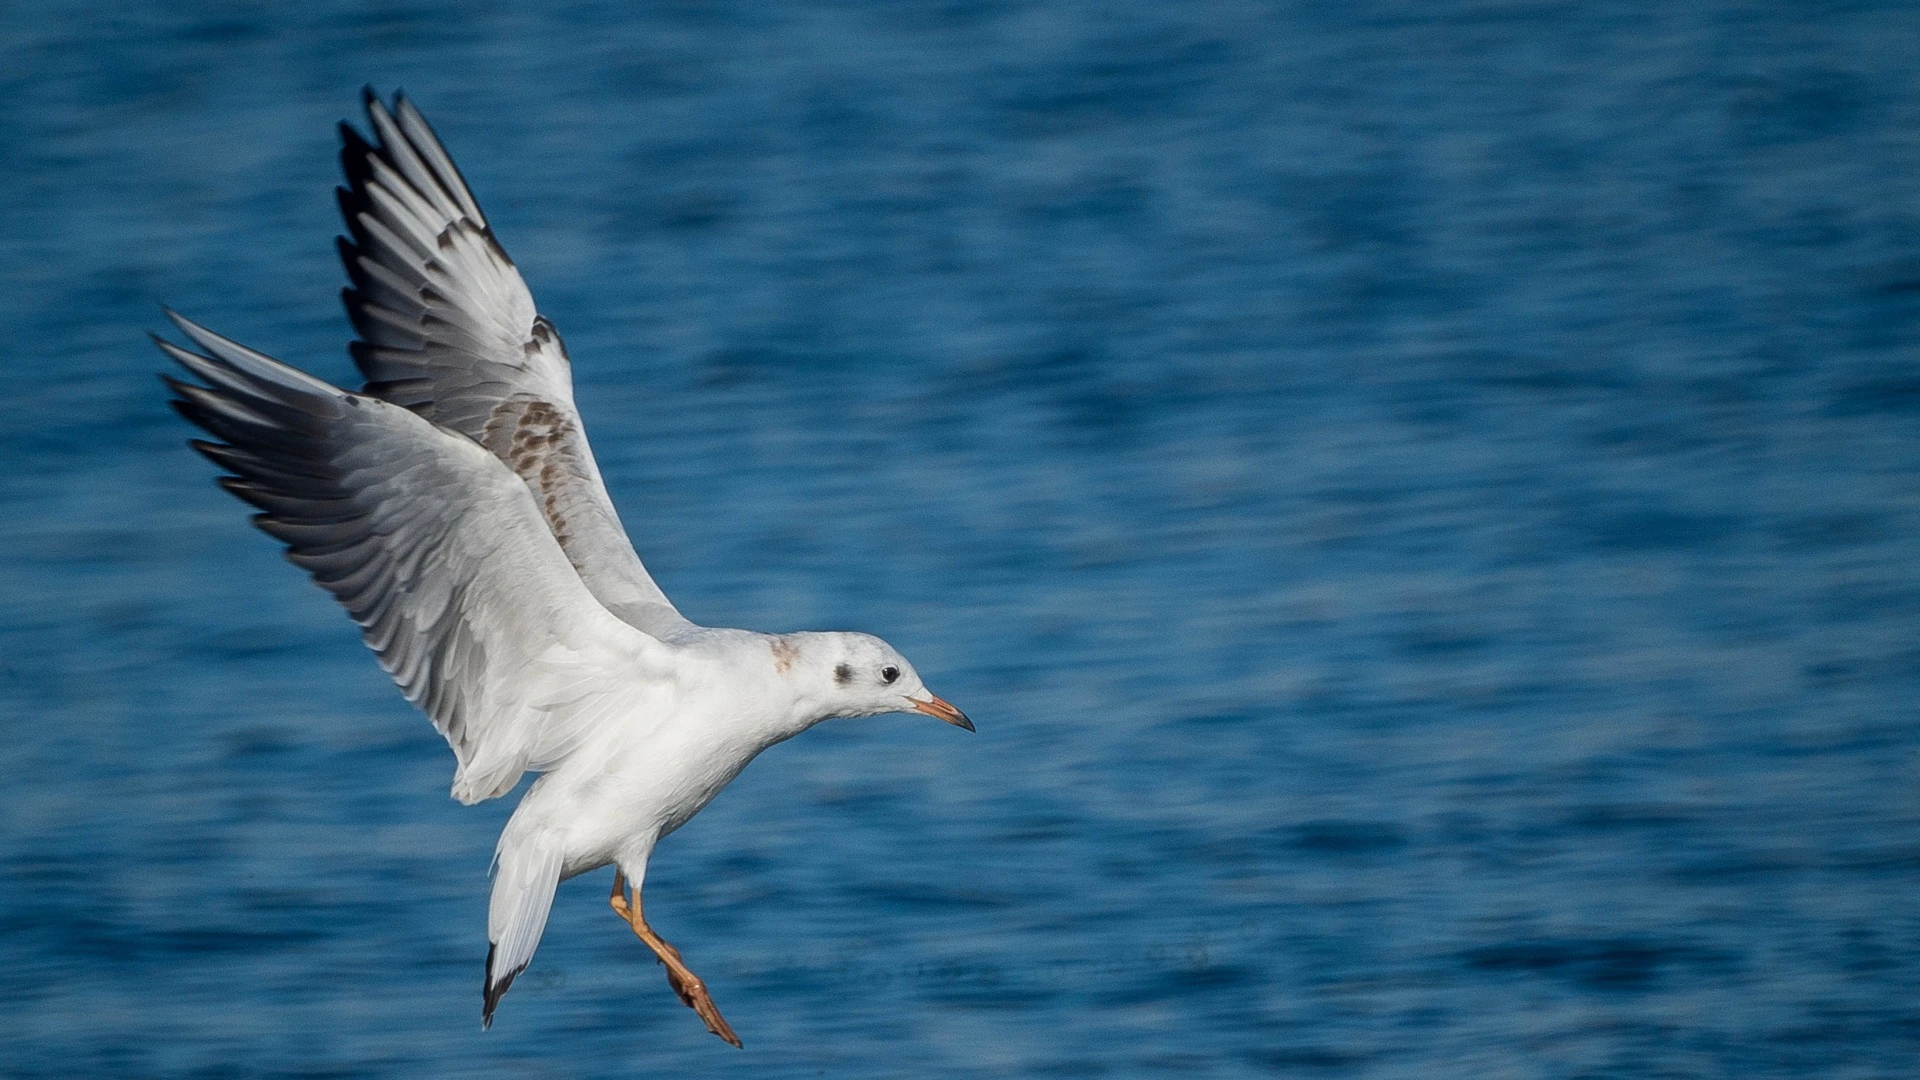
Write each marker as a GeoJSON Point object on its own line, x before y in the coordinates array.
{"type": "Point", "coordinates": [1422, 503]}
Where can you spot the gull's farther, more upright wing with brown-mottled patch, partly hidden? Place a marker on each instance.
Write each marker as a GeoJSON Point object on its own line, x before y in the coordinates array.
{"type": "Point", "coordinates": [450, 331]}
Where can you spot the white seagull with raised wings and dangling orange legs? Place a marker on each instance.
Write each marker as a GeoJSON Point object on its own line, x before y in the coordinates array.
{"type": "Point", "coordinates": [454, 508]}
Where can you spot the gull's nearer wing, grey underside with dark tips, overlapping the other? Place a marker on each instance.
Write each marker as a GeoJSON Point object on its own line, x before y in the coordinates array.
{"type": "Point", "coordinates": [435, 549]}
